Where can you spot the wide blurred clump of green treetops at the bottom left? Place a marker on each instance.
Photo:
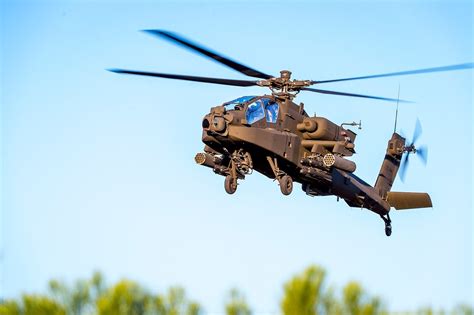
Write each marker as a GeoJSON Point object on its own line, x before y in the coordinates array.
{"type": "Point", "coordinates": [94, 297]}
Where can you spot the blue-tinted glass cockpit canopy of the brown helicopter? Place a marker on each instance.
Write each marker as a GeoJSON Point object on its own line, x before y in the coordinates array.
{"type": "Point", "coordinates": [258, 107]}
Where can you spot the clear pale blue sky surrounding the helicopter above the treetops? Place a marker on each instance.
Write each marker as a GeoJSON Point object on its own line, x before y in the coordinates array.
{"type": "Point", "coordinates": [98, 170]}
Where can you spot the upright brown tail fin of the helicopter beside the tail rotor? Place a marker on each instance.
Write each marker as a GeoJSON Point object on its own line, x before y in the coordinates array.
{"type": "Point", "coordinates": [390, 165]}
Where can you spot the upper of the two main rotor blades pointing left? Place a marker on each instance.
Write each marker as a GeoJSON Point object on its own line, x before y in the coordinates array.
{"type": "Point", "coordinates": [208, 53]}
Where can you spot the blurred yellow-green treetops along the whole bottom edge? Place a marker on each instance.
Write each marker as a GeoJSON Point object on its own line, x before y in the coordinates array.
{"type": "Point", "coordinates": [304, 294]}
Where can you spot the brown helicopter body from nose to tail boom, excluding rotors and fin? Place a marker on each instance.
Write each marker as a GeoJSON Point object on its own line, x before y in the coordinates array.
{"type": "Point", "coordinates": [286, 142]}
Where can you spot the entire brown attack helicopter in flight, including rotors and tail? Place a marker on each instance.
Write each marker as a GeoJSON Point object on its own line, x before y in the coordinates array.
{"type": "Point", "coordinates": [274, 136]}
